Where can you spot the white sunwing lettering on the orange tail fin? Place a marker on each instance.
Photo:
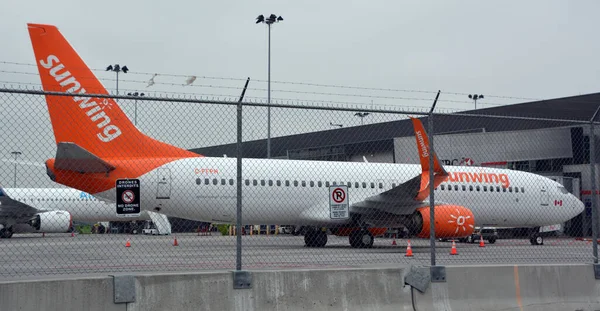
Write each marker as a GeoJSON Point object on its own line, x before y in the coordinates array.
{"type": "Point", "coordinates": [92, 109]}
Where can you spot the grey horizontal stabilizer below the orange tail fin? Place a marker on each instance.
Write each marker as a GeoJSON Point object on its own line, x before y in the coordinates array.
{"type": "Point", "coordinates": [71, 157]}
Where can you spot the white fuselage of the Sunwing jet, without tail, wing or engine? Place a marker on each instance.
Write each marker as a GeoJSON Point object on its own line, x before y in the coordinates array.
{"type": "Point", "coordinates": [297, 192]}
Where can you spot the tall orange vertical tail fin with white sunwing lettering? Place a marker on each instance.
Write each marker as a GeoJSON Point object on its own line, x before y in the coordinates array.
{"type": "Point", "coordinates": [96, 124]}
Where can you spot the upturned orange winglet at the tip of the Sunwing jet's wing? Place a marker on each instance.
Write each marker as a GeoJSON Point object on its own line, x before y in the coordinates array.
{"type": "Point", "coordinates": [439, 173]}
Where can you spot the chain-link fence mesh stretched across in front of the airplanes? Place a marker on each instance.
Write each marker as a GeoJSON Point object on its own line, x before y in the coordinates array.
{"type": "Point", "coordinates": [341, 186]}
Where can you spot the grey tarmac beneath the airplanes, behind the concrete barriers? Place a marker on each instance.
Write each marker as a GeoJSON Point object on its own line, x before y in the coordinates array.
{"type": "Point", "coordinates": [35, 255]}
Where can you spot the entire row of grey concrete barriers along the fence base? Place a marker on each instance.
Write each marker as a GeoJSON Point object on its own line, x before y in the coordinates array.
{"type": "Point", "coordinates": [526, 287]}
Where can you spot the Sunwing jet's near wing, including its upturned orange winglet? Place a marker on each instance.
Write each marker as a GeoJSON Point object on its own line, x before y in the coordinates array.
{"type": "Point", "coordinates": [405, 198]}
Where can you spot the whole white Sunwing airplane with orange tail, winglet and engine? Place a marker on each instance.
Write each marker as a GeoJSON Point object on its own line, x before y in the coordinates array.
{"type": "Point", "coordinates": [97, 145]}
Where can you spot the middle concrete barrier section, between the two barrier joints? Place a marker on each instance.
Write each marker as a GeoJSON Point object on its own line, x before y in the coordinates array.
{"type": "Point", "coordinates": [338, 289]}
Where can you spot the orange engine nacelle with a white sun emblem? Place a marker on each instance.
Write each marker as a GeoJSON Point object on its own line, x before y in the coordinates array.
{"type": "Point", "coordinates": [451, 221]}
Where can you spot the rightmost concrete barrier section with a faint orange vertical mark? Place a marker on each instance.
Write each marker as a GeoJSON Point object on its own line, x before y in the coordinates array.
{"type": "Point", "coordinates": [524, 287]}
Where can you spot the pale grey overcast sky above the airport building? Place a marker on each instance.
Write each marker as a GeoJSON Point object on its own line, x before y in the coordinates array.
{"type": "Point", "coordinates": [388, 54]}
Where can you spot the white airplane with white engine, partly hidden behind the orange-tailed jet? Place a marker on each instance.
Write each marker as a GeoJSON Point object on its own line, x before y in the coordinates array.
{"type": "Point", "coordinates": [55, 209]}
